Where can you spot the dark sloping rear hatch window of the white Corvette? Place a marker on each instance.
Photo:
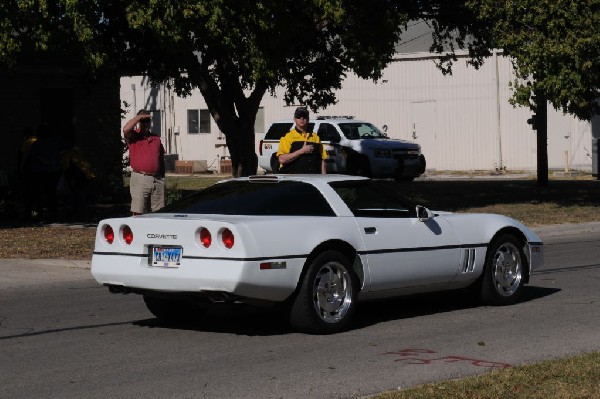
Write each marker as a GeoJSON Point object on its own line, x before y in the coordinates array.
{"type": "Point", "coordinates": [284, 198]}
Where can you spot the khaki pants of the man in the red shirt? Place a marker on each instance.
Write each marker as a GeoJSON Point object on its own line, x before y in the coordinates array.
{"type": "Point", "coordinates": [147, 193]}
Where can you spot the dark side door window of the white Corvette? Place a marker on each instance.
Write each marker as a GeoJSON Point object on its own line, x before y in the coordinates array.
{"type": "Point", "coordinates": [372, 199]}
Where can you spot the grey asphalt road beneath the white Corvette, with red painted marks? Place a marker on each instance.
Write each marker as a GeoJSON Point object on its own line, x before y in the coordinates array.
{"type": "Point", "coordinates": [63, 336]}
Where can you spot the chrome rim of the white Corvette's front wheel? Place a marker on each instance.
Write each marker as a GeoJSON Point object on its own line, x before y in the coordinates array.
{"type": "Point", "coordinates": [507, 269]}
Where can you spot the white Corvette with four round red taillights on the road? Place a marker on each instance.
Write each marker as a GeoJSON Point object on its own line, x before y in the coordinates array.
{"type": "Point", "coordinates": [314, 243]}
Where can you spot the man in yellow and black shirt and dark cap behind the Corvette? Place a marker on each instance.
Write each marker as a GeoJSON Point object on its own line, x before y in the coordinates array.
{"type": "Point", "coordinates": [300, 151]}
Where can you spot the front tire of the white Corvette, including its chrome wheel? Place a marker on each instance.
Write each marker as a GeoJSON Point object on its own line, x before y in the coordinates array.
{"type": "Point", "coordinates": [505, 268]}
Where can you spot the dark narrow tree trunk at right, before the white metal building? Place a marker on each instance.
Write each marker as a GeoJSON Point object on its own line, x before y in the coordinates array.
{"type": "Point", "coordinates": [539, 123]}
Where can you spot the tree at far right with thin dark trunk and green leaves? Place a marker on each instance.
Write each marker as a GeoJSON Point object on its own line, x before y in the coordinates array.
{"type": "Point", "coordinates": [555, 49]}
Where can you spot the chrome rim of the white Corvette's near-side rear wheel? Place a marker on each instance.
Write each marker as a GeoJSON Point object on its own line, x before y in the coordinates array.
{"type": "Point", "coordinates": [332, 292]}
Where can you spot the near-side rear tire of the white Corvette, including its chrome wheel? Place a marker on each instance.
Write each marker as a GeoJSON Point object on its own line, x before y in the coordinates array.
{"type": "Point", "coordinates": [326, 300]}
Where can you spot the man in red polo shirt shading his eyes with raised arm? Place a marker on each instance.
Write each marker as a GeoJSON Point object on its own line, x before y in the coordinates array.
{"type": "Point", "coordinates": [147, 159]}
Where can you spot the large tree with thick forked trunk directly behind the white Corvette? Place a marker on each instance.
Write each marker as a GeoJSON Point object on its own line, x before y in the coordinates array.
{"type": "Point", "coordinates": [232, 51]}
